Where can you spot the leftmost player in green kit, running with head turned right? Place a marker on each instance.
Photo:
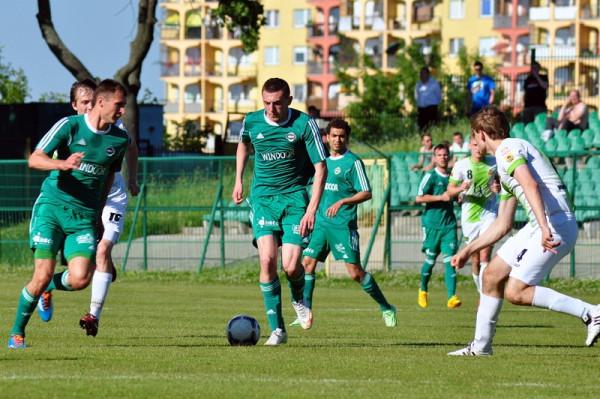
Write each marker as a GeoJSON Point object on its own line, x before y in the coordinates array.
{"type": "Point", "coordinates": [90, 149]}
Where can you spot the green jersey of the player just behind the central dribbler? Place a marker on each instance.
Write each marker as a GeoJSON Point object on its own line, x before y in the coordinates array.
{"type": "Point", "coordinates": [345, 177]}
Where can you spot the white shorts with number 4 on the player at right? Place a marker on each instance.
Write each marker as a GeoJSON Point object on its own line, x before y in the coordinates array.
{"type": "Point", "coordinates": [523, 252]}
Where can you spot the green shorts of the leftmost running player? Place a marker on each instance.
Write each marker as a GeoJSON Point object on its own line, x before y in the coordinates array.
{"type": "Point", "coordinates": [53, 224]}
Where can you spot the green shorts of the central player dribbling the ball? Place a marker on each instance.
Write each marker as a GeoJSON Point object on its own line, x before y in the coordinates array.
{"type": "Point", "coordinates": [279, 215]}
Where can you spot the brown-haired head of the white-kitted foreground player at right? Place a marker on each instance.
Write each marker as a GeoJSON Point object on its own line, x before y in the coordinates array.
{"type": "Point", "coordinates": [489, 124]}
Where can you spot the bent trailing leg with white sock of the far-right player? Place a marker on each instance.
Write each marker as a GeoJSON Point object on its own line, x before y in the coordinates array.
{"type": "Point", "coordinates": [534, 264]}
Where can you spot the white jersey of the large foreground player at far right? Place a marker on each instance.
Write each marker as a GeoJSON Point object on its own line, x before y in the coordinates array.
{"type": "Point", "coordinates": [514, 152]}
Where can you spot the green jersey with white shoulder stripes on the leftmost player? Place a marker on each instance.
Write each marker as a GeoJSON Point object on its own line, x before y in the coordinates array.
{"type": "Point", "coordinates": [104, 150]}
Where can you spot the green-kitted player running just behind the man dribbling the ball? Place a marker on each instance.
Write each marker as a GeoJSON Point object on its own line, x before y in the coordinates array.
{"type": "Point", "coordinates": [336, 227]}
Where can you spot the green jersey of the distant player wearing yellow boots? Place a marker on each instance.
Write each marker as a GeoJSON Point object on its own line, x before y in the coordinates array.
{"type": "Point", "coordinates": [436, 214]}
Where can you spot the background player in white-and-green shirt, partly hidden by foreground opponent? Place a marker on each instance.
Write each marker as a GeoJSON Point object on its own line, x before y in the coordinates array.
{"type": "Point", "coordinates": [474, 179]}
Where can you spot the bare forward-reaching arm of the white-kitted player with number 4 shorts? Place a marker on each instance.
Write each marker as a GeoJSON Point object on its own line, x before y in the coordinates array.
{"type": "Point", "coordinates": [498, 229]}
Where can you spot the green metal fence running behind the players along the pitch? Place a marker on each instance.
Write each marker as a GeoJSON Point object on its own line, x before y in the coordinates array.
{"type": "Point", "coordinates": [183, 218]}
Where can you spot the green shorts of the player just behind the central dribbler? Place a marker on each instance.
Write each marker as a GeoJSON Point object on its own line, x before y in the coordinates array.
{"type": "Point", "coordinates": [341, 241]}
